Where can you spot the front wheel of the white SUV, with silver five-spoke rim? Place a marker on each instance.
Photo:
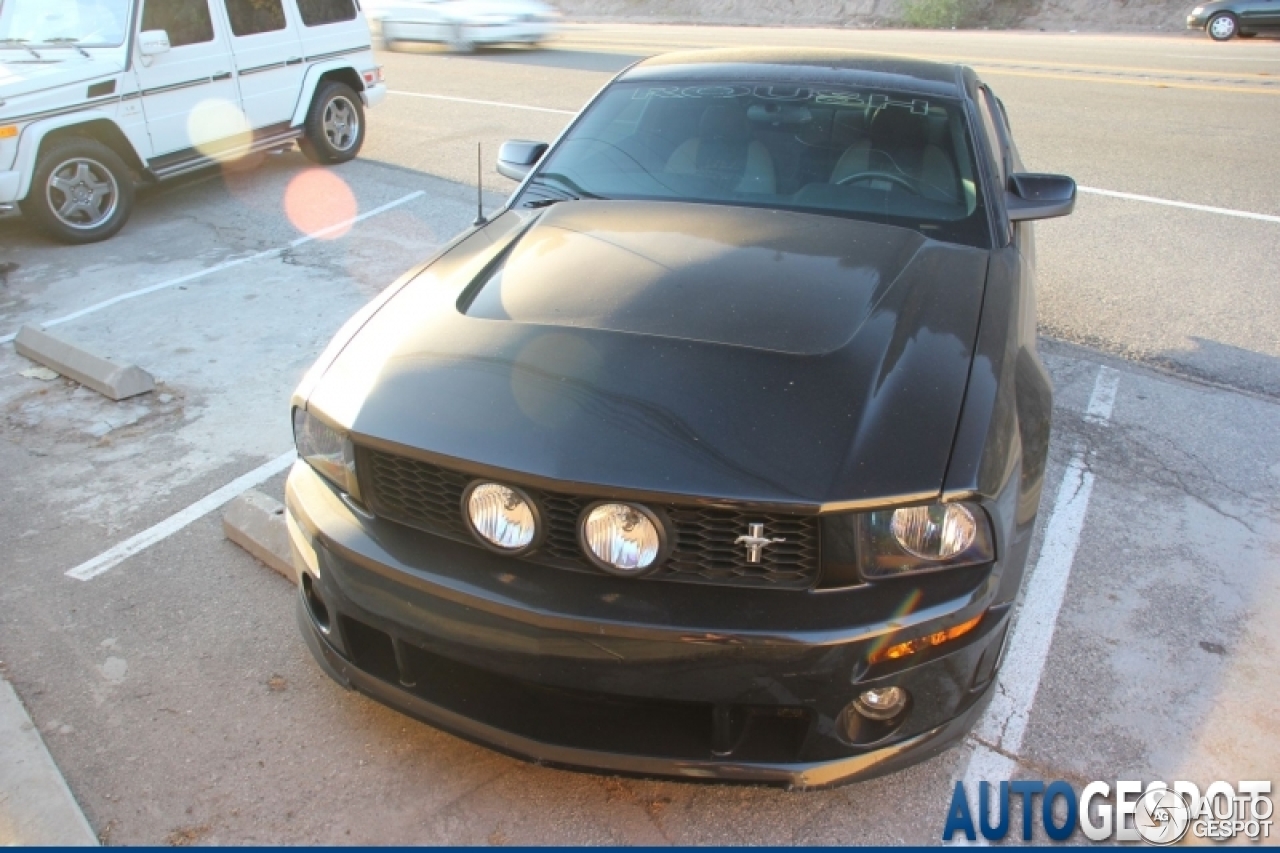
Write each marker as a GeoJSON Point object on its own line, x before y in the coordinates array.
{"type": "Point", "coordinates": [81, 193]}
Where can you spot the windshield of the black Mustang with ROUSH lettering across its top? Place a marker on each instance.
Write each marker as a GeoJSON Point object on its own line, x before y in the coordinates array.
{"type": "Point", "coordinates": [867, 154]}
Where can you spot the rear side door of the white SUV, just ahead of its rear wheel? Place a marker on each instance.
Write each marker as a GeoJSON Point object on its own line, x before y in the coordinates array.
{"type": "Point", "coordinates": [268, 53]}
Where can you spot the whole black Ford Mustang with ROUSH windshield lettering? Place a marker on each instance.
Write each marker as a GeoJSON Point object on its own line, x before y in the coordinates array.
{"type": "Point", "coordinates": [717, 451]}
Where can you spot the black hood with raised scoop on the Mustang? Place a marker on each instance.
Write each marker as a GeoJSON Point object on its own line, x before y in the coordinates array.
{"type": "Point", "coordinates": [676, 350]}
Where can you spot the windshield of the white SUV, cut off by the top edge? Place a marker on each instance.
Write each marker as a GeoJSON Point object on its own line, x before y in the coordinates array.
{"type": "Point", "coordinates": [61, 24]}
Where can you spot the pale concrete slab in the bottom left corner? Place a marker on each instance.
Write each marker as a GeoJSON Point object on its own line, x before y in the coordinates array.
{"type": "Point", "coordinates": [36, 808]}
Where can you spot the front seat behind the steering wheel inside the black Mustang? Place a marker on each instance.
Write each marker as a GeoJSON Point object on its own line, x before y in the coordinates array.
{"type": "Point", "coordinates": [898, 143]}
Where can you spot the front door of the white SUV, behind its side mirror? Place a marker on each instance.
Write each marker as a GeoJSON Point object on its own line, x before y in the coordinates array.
{"type": "Point", "coordinates": [189, 93]}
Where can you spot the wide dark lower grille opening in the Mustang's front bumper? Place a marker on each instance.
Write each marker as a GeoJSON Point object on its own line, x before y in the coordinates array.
{"type": "Point", "coordinates": [575, 718]}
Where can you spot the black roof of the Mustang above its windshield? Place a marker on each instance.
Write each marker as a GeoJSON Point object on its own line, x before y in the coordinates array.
{"type": "Point", "coordinates": [803, 65]}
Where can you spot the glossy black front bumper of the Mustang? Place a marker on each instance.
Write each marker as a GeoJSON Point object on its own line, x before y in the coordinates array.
{"type": "Point", "coordinates": [504, 654]}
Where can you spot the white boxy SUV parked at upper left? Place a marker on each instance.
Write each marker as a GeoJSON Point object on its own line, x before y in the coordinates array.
{"type": "Point", "coordinates": [97, 95]}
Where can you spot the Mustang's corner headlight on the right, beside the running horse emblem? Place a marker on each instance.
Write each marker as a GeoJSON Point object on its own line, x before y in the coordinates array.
{"type": "Point", "coordinates": [924, 539]}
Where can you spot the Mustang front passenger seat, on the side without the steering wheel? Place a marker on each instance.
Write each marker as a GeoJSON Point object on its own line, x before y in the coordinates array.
{"type": "Point", "coordinates": [725, 153]}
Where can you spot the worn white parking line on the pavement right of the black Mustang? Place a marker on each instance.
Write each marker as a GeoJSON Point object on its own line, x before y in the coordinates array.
{"type": "Point", "coordinates": [1004, 726]}
